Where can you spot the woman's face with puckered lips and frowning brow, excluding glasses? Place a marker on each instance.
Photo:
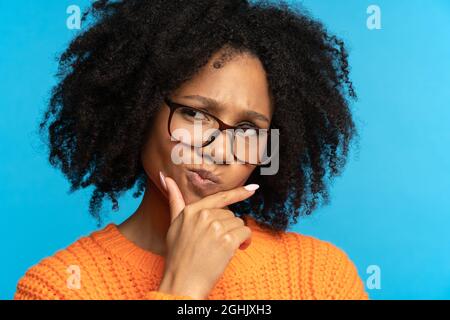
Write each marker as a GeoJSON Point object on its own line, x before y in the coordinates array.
{"type": "Point", "coordinates": [240, 91]}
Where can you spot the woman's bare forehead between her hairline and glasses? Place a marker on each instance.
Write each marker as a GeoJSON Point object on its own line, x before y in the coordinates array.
{"type": "Point", "coordinates": [239, 83]}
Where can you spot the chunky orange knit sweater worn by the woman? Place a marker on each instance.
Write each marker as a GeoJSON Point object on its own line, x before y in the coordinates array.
{"type": "Point", "coordinates": [106, 265]}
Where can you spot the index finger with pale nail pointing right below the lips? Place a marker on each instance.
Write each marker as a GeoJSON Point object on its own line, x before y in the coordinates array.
{"type": "Point", "coordinates": [224, 198]}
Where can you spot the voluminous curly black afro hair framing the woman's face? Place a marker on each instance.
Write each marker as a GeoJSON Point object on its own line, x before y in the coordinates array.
{"type": "Point", "coordinates": [113, 77]}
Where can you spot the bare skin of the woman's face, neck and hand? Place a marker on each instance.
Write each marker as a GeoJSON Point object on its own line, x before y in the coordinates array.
{"type": "Point", "coordinates": [180, 222]}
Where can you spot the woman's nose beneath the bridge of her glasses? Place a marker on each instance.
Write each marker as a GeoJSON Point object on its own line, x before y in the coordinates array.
{"type": "Point", "coordinates": [220, 150]}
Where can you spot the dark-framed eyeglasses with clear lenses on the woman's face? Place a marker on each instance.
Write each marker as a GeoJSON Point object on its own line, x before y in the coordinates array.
{"type": "Point", "coordinates": [198, 128]}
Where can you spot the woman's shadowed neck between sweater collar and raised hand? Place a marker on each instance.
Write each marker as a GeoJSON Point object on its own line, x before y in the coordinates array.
{"type": "Point", "coordinates": [147, 226]}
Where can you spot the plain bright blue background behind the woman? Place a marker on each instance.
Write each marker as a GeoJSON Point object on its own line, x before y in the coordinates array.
{"type": "Point", "coordinates": [389, 208]}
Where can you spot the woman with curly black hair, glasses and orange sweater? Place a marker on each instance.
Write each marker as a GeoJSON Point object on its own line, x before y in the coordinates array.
{"type": "Point", "coordinates": [209, 229]}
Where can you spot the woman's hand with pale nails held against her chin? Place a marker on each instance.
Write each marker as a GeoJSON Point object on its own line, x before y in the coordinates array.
{"type": "Point", "coordinates": [201, 240]}
